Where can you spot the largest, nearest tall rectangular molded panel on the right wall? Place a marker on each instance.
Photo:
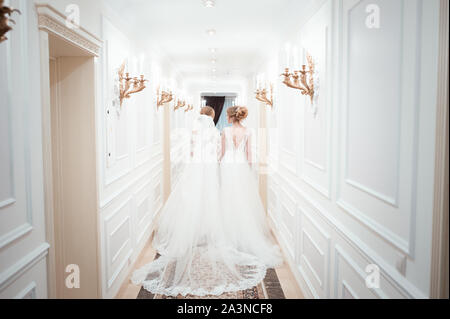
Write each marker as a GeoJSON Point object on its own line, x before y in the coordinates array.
{"type": "Point", "coordinates": [380, 211]}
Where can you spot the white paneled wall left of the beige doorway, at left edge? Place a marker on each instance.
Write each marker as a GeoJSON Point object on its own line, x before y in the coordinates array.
{"type": "Point", "coordinates": [23, 248]}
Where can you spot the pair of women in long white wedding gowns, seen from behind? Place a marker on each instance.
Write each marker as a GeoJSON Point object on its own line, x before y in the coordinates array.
{"type": "Point", "coordinates": [212, 235]}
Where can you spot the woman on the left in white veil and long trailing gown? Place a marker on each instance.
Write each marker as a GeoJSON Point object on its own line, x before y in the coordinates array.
{"type": "Point", "coordinates": [200, 254]}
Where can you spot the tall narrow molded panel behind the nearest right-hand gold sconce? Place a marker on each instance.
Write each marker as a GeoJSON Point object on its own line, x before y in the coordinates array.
{"type": "Point", "coordinates": [316, 37]}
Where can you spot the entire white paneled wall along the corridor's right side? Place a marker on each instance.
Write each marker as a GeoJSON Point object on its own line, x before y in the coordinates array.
{"type": "Point", "coordinates": [351, 177]}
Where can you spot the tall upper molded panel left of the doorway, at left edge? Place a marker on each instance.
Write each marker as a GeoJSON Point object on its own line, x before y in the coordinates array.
{"type": "Point", "coordinates": [18, 202]}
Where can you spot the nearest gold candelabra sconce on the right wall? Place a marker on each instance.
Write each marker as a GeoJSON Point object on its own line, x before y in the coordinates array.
{"type": "Point", "coordinates": [302, 80]}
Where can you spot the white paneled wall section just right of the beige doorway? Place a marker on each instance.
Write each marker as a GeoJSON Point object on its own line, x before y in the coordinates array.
{"type": "Point", "coordinates": [130, 160]}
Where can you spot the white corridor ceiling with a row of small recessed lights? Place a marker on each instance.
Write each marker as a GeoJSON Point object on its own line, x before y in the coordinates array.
{"type": "Point", "coordinates": [246, 31]}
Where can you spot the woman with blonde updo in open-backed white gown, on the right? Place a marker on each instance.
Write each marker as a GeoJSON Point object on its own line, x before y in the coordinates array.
{"type": "Point", "coordinates": [245, 222]}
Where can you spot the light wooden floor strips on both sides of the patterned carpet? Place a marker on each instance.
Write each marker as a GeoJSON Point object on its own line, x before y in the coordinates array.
{"type": "Point", "coordinates": [130, 291]}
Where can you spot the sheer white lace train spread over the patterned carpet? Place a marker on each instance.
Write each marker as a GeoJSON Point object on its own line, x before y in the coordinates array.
{"type": "Point", "coordinates": [205, 273]}
